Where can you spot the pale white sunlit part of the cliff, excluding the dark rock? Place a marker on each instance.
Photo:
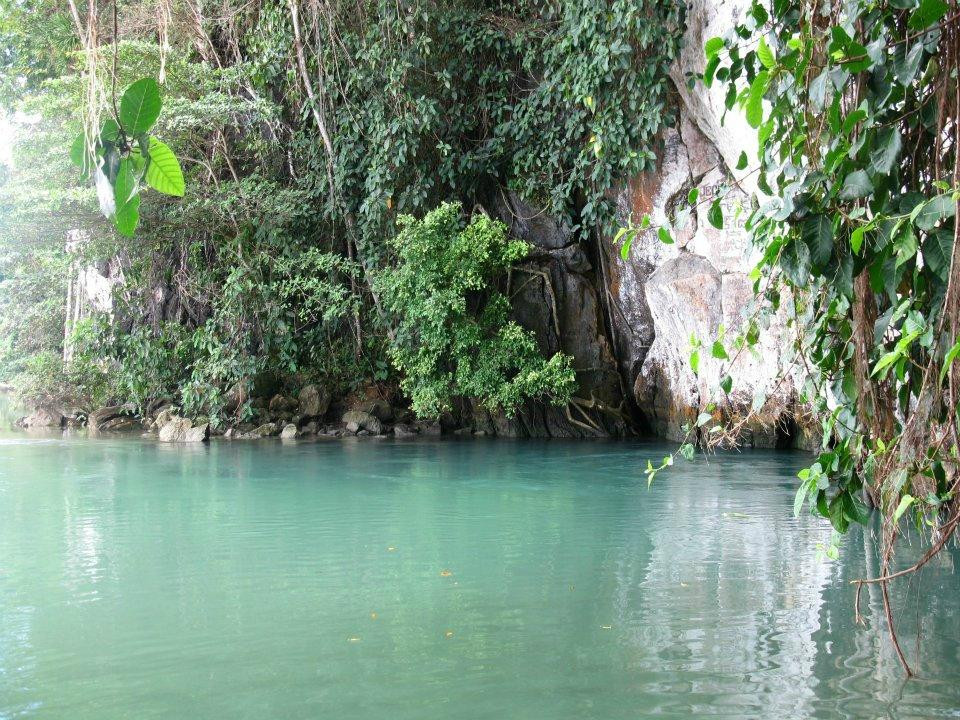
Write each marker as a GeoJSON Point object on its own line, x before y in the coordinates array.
{"type": "Point", "coordinates": [667, 294]}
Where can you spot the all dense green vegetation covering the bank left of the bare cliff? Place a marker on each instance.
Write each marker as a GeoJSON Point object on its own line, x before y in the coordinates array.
{"type": "Point", "coordinates": [306, 132]}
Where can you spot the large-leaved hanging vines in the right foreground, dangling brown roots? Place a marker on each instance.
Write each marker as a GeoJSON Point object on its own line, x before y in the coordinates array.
{"type": "Point", "coordinates": [856, 224]}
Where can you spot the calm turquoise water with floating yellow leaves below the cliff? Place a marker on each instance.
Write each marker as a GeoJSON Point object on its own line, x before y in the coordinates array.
{"type": "Point", "coordinates": [444, 579]}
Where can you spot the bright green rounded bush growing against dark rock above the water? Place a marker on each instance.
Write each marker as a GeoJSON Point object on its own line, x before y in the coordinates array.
{"type": "Point", "coordinates": [453, 332]}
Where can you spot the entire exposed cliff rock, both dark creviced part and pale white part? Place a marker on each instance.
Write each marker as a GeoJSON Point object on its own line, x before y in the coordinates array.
{"type": "Point", "coordinates": [628, 324]}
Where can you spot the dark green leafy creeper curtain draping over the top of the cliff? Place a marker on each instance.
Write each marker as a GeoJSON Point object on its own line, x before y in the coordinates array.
{"type": "Point", "coordinates": [440, 101]}
